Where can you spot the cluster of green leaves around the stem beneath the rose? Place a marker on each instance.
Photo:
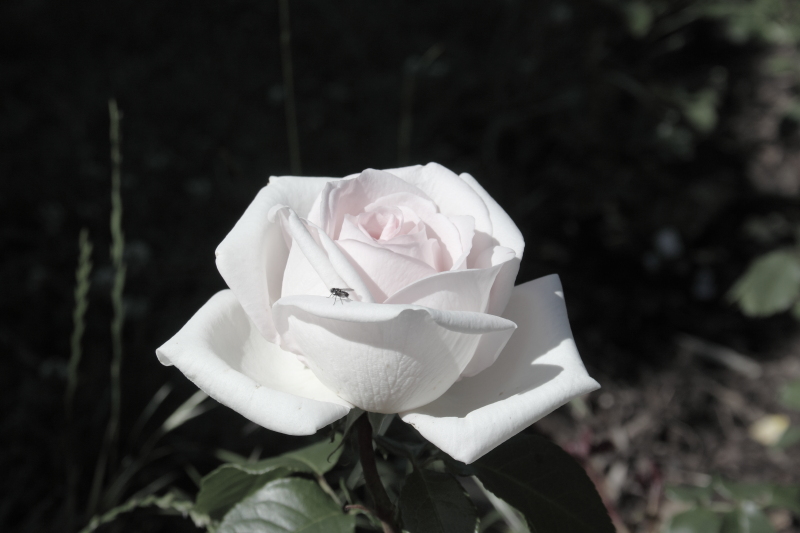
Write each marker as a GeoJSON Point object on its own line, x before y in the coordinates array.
{"type": "Point", "coordinates": [547, 486]}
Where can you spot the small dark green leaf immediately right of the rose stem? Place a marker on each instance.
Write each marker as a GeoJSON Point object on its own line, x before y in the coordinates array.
{"type": "Point", "coordinates": [434, 502]}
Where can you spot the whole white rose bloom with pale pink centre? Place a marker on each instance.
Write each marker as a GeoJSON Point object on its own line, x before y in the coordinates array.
{"type": "Point", "coordinates": [433, 329]}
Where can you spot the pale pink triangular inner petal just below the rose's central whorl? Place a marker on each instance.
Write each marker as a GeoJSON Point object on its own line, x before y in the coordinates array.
{"type": "Point", "coordinates": [383, 271]}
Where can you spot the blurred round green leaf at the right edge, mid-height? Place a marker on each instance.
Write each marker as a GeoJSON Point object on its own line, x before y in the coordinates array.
{"type": "Point", "coordinates": [770, 285]}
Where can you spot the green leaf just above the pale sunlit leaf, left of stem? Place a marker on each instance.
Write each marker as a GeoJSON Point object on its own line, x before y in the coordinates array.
{"type": "Point", "coordinates": [227, 485]}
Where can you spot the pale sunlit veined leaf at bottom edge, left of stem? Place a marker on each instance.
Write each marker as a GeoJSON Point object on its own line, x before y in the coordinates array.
{"type": "Point", "coordinates": [287, 505]}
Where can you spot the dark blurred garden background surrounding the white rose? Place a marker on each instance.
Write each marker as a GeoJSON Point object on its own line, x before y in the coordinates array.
{"type": "Point", "coordinates": [648, 150]}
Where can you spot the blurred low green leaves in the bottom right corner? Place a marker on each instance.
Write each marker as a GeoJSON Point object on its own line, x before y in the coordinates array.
{"type": "Point", "coordinates": [728, 507]}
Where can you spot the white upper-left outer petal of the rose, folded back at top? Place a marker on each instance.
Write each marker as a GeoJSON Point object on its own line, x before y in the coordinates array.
{"type": "Point", "coordinates": [252, 257]}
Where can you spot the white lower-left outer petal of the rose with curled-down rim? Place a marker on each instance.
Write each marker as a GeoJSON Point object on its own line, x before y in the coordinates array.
{"type": "Point", "coordinates": [221, 351]}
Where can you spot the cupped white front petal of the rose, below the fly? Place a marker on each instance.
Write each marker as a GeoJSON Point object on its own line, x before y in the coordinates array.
{"type": "Point", "coordinates": [383, 358]}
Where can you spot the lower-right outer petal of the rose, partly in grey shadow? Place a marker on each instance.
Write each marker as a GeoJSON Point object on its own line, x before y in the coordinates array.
{"type": "Point", "coordinates": [538, 371]}
